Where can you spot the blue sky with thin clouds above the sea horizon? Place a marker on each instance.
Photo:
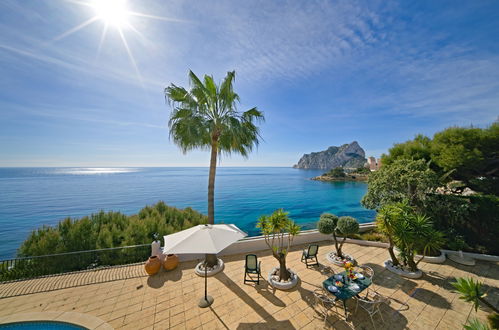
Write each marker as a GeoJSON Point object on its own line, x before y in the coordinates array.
{"type": "Point", "coordinates": [324, 72]}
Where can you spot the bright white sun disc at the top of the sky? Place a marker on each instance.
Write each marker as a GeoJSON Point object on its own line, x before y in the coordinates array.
{"type": "Point", "coordinates": [112, 12]}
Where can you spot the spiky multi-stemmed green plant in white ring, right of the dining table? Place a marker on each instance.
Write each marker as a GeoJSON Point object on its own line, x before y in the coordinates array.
{"type": "Point", "coordinates": [409, 232]}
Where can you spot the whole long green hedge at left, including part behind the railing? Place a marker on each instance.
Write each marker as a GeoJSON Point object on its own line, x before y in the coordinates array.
{"type": "Point", "coordinates": [95, 232]}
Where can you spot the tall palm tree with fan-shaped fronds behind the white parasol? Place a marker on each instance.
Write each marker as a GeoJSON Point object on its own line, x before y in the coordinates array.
{"type": "Point", "coordinates": [206, 117]}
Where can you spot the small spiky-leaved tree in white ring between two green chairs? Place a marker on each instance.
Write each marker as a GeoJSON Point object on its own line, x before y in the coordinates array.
{"type": "Point", "coordinates": [279, 230]}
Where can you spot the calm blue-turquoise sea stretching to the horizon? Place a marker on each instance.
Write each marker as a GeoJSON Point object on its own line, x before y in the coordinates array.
{"type": "Point", "coordinates": [34, 197]}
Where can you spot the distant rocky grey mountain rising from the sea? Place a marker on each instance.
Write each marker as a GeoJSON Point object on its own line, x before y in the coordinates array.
{"type": "Point", "coordinates": [346, 156]}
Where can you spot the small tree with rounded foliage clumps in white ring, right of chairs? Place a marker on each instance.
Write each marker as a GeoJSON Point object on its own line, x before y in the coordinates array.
{"type": "Point", "coordinates": [330, 224]}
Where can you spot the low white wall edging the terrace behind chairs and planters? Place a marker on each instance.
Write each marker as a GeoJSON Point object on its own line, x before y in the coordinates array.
{"type": "Point", "coordinates": [254, 244]}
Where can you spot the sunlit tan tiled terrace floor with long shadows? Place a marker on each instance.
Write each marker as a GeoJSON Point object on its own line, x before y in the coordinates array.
{"type": "Point", "coordinates": [126, 298]}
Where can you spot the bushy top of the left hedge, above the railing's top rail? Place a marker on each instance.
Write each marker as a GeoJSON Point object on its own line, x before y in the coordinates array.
{"type": "Point", "coordinates": [109, 229]}
